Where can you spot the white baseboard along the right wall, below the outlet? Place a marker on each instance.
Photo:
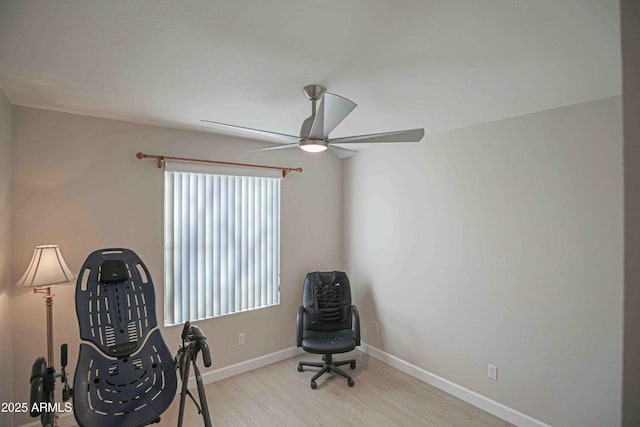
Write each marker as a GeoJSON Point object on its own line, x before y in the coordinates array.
{"type": "Point", "coordinates": [478, 400]}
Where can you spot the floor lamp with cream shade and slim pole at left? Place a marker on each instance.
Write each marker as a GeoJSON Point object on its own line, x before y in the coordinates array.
{"type": "Point", "coordinates": [46, 269]}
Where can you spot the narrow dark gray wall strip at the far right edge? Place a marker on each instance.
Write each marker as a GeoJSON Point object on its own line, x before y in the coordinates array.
{"type": "Point", "coordinates": [630, 12]}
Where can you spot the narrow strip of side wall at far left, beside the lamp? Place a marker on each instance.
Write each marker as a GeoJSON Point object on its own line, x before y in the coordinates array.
{"type": "Point", "coordinates": [6, 353]}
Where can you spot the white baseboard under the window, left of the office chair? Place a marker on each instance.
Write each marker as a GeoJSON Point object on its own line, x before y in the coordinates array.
{"type": "Point", "coordinates": [66, 420]}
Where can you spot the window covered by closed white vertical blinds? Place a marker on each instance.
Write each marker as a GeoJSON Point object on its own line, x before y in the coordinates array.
{"type": "Point", "coordinates": [222, 241]}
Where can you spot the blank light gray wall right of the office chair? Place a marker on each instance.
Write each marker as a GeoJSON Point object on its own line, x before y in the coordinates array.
{"type": "Point", "coordinates": [500, 243]}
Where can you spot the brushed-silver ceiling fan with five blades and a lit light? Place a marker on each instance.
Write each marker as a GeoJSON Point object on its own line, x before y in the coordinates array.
{"type": "Point", "coordinates": [315, 130]}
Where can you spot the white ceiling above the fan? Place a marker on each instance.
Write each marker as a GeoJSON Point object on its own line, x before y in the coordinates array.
{"type": "Point", "coordinates": [437, 64]}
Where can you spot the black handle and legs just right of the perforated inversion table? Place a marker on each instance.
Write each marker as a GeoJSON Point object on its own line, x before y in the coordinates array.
{"type": "Point", "coordinates": [193, 341]}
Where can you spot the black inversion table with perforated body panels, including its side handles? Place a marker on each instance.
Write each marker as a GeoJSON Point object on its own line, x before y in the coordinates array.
{"type": "Point", "coordinates": [125, 375]}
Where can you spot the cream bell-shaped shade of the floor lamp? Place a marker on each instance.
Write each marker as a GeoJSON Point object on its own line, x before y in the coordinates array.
{"type": "Point", "coordinates": [47, 267]}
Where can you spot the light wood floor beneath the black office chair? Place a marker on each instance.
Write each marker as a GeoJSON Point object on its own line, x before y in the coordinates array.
{"type": "Point", "coordinates": [279, 395]}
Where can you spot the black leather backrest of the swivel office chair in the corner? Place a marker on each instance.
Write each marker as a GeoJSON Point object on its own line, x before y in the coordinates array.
{"type": "Point", "coordinates": [327, 301]}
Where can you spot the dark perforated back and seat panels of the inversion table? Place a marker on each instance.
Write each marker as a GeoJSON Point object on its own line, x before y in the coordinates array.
{"type": "Point", "coordinates": [125, 375]}
